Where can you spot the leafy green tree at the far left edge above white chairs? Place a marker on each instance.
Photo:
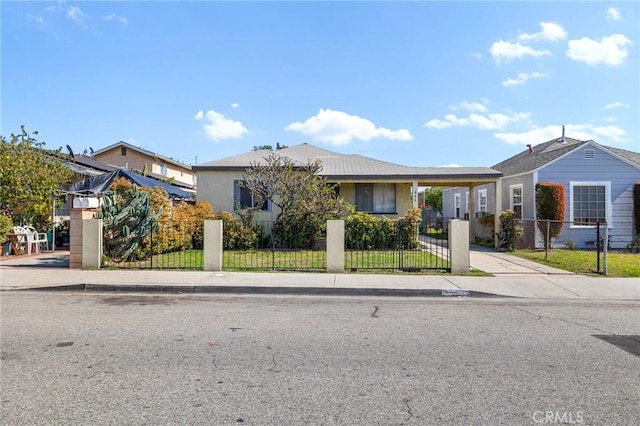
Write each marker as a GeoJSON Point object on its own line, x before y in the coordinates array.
{"type": "Point", "coordinates": [29, 174]}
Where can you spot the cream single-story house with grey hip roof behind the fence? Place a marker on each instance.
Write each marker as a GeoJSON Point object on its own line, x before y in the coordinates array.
{"type": "Point", "coordinates": [373, 186]}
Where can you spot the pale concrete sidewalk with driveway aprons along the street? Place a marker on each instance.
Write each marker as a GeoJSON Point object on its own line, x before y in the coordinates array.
{"type": "Point", "coordinates": [514, 278]}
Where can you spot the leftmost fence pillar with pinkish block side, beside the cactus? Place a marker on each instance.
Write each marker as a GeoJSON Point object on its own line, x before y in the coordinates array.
{"type": "Point", "coordinates": [85, 239]}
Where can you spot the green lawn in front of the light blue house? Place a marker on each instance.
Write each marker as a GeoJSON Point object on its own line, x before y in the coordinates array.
{"type": "Point", "coordinates": [585, 262]}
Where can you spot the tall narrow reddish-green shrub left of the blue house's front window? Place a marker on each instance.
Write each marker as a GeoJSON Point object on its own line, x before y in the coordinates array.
{"type": "Point", "coordinates": [550, 206]}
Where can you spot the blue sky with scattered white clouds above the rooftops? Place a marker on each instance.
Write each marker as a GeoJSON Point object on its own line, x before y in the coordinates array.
{"type": "Point", "coordinates": [414, 83]}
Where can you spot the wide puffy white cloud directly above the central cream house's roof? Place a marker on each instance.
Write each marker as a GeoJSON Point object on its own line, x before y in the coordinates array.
{"type": "Point", "coordinates": [340, 128]}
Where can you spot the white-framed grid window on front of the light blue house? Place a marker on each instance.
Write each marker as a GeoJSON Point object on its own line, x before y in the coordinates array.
{"type": "Point", "coordinates": [589, 202]}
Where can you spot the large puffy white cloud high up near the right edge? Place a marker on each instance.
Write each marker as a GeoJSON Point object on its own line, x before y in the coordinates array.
{"type": "Point", "coordinates": [610, 50]}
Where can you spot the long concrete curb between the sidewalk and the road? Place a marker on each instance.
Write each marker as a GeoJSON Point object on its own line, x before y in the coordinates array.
{"type": "Point", "coordinates": [302, 291]}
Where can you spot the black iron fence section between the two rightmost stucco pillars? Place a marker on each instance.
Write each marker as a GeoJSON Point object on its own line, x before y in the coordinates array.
{"type": "Point", "coordinates": [398, 248]}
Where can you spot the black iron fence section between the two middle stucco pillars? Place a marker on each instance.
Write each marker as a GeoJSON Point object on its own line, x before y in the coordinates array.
{"type": "Point", "coordinates": [272, 245]}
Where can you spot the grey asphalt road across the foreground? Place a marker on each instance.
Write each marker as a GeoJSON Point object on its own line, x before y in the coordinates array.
{"type": "Point", "coordinates": [103, 359]}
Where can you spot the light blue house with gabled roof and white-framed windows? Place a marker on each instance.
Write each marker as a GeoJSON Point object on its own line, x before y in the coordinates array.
{"type": "Point", "coordinates": [598, 183]}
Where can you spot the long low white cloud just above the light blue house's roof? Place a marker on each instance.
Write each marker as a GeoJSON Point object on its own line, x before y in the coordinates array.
{"type": "Point", "coordinates": [601, 134]}
